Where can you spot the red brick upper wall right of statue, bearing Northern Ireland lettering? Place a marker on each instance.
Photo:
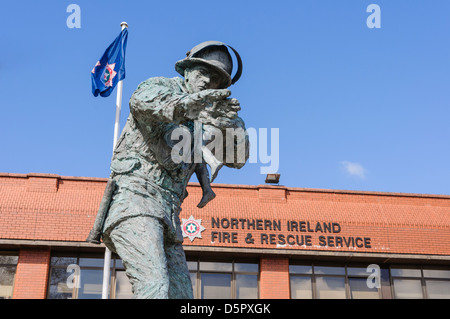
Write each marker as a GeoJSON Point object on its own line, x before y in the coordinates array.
{"type": "Point", "coordinates": [388, 222]}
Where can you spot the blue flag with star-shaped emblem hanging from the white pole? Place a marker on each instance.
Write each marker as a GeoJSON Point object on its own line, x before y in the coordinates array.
{"type": "Point", "coordinates": [110, 69]}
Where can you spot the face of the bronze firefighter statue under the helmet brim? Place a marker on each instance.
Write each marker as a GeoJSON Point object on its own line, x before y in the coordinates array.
{"type": "Point", "coordinates": [200, 78]}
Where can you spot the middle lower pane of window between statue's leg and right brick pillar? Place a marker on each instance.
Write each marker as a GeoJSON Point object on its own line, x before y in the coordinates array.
{"type": "Point", "coordinates": [216, 286]}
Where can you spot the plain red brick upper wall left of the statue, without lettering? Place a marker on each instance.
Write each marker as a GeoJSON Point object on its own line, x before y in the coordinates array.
{"type": "Point", "coordinates": [48, 207]}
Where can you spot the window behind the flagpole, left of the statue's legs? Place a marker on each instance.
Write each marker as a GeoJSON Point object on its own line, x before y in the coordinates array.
{"type": "Point", "coordinates": [81, 277]}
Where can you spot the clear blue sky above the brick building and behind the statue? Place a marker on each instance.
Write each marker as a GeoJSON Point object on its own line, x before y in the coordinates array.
{"type": "Point", "coordinates": [356, 108]}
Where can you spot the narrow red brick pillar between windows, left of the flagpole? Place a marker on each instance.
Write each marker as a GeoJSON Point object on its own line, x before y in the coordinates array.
{"type": "Point", "coordinates": [32, 274]}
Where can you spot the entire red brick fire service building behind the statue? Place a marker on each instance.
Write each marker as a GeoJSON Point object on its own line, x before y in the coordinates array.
{"type": "Point", "coordinates": [250, 242]}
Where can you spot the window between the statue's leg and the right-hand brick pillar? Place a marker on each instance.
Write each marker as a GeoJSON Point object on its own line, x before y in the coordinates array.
{"type": "Point", "coordinates": [224, 280]}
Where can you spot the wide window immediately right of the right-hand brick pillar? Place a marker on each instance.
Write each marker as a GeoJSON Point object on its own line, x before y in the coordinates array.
{"type": "Point", "coordinates": [330, 282]}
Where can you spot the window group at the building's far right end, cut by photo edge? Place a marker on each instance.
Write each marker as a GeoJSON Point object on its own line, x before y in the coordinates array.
{"type": "Point", "coordinates": [418, 283]}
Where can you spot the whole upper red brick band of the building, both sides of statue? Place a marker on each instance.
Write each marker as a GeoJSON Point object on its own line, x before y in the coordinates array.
{"type": "Point", "coordinates": [52, 207]}
